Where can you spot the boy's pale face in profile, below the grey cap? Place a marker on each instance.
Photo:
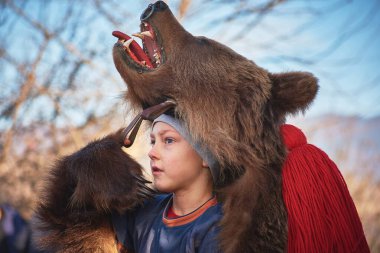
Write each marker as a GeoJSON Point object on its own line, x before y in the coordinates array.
{"type": "Point", "coordinates": [175, 164]}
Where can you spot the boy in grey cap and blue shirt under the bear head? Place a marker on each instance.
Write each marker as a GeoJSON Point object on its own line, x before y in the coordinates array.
{"type": "Point", "coordinates": [186, 219]}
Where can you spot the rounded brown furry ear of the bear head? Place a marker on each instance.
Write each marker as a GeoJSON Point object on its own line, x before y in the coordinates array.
{"type": "Point", "coordinates": [293, 91]}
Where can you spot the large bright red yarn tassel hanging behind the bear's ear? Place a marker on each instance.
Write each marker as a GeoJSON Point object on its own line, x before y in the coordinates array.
{"type": "Point", "coordinates": [321, 213]}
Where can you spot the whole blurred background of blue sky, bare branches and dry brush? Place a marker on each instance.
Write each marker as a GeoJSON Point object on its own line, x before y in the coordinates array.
{"type": "Point", "coordinates": [59, 87]}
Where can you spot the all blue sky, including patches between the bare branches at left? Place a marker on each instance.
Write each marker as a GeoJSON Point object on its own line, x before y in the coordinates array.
{"type": "Point", "coordinates": [338, 41]}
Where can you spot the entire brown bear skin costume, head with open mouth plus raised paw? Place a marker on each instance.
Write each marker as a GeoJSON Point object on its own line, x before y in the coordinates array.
{"type": "Point", "coordinates": [228, 103]}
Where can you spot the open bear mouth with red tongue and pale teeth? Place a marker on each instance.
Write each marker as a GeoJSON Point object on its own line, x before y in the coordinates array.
{"type": "Point", "coordinates": [150, 56]}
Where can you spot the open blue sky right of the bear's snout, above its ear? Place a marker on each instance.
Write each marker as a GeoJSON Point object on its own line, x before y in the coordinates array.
{"type": "Point", "coordinates": [341, 47]}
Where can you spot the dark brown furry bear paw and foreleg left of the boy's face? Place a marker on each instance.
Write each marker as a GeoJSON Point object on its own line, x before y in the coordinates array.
{"type": "Point", "coordinates": [80, 193]}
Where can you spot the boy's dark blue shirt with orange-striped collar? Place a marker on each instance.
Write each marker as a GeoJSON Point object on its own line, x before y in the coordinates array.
{"type": "Point", "coordinates": [148, 230]}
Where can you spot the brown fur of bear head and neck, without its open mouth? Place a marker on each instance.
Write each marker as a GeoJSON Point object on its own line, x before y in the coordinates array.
{"type": "Point", "coordinates": [235, 107]}
